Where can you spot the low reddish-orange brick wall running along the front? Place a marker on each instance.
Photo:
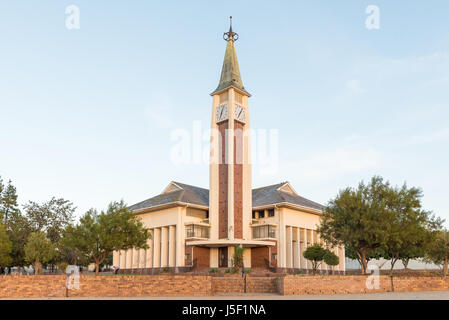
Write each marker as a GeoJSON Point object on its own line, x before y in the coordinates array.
{"type": "Point", "coordinates": [21, 286]}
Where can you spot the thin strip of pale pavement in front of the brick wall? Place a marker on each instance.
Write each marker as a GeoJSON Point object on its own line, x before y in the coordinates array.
{"type": "Point", "coordinates": [423, 295]}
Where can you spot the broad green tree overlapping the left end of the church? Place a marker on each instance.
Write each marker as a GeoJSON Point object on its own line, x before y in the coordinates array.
{"type": "Point", "coordinates": [99, 234]}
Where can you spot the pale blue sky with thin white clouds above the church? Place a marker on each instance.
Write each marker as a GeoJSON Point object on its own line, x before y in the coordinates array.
{"type": "Point", "coordinates": [87, 114]}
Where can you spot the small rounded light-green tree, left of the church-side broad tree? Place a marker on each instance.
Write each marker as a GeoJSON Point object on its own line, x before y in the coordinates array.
{"type": "Point", "coordinates": [39, 250]}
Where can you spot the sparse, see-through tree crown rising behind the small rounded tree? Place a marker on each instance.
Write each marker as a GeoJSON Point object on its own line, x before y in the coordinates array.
{"type": "Point", "coordinates": [51, 217]}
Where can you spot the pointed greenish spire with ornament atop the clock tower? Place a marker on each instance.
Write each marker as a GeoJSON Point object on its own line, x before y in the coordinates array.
{"type": "Point", "coordinates": [230, 72]}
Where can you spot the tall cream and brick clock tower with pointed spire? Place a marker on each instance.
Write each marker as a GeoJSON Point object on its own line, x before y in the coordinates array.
{"type": "Point", "coordinates": [230, 169]}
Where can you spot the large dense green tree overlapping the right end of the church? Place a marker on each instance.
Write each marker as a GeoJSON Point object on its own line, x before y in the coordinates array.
{"type": "Point", "coordinates": [359, 218]}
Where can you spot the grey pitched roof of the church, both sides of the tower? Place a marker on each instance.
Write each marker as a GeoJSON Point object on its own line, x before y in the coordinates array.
{"type": "Point", "coordinates": [269, 195]}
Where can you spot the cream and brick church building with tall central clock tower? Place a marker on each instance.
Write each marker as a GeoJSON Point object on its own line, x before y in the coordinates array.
{"type": "Point", "coordinates": [194, 228]}
